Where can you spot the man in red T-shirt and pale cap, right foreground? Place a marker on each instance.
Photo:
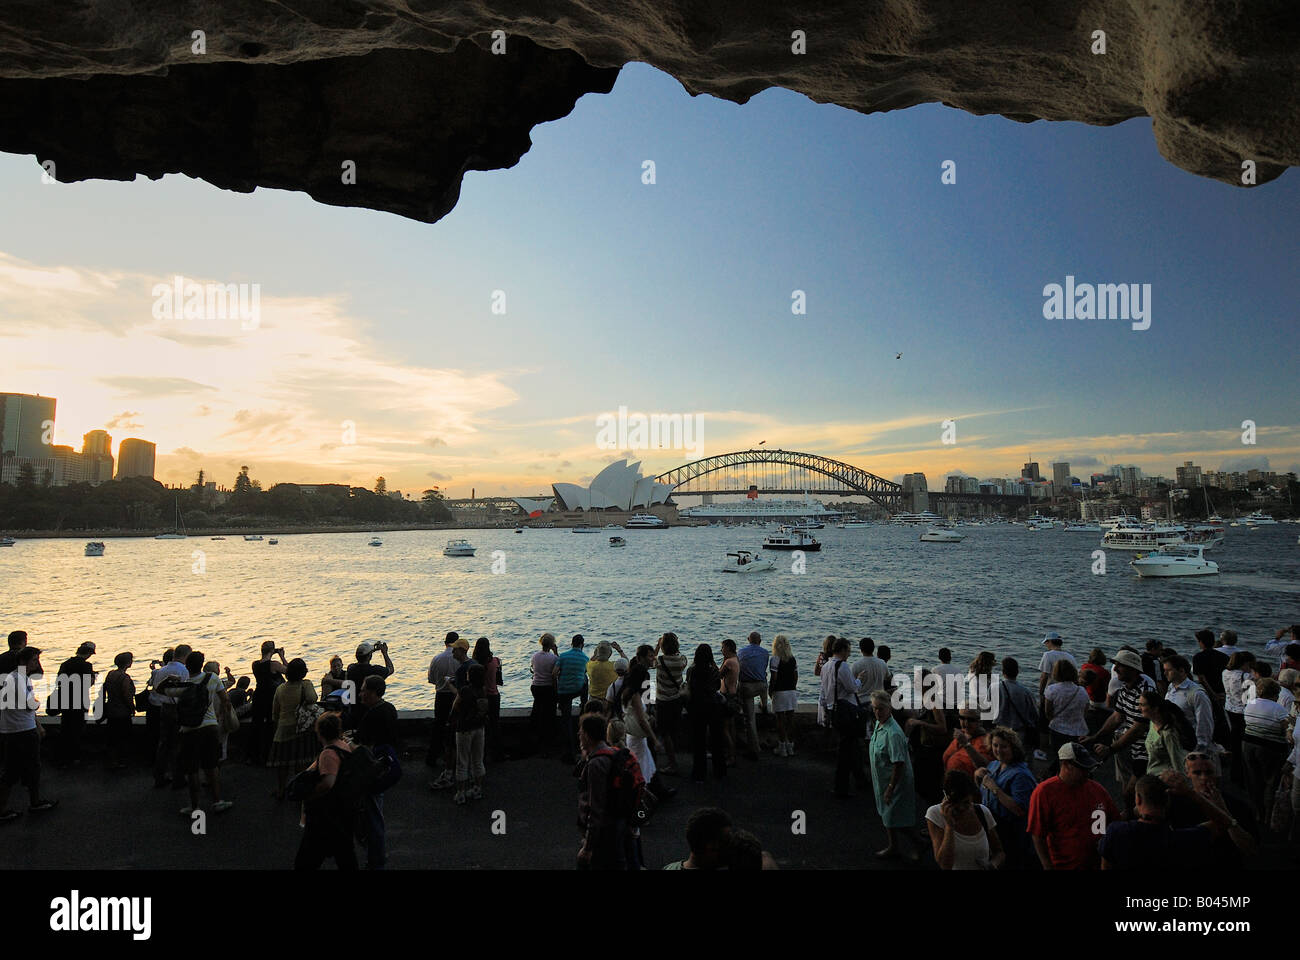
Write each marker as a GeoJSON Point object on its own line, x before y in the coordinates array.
{"type": "Point", "coordinates": [1069, 814]}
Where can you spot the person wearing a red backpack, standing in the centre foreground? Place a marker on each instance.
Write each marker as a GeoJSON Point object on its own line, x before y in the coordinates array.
{"type": "Point", "coordinates": [612, 792]}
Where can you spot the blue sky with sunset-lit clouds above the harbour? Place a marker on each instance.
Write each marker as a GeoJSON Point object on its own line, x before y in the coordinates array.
{"type": "Point", "coordinates": [376, 349]}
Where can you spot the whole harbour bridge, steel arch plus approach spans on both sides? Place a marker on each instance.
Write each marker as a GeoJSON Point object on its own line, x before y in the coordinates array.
{"type": "Point", "coordinates": [773, 472]}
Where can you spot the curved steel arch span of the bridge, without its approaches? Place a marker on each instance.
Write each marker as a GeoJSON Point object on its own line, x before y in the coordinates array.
{"type": "Point", "coordinates": [781, 472]}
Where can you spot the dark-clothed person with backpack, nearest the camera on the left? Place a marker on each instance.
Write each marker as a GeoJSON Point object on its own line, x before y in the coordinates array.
{"type": "Point", "coordinates": [330, 807]}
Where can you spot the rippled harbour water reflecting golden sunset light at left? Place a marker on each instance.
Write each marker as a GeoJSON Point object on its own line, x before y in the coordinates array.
{"type": "Point", "coordinates": [320, 595]}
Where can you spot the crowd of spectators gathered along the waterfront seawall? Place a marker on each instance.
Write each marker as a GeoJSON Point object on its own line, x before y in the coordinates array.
{"type": "Point", "coordinates": [995, 775]}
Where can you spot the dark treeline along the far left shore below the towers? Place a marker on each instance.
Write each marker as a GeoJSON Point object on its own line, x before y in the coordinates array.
{"type": "Point", "coordinates": [148, 505]}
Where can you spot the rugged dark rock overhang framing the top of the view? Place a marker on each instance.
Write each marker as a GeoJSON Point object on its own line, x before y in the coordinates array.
{"type": "Point", "coordinates": [287, 93]}
